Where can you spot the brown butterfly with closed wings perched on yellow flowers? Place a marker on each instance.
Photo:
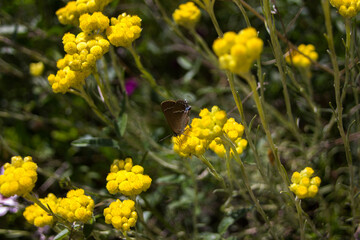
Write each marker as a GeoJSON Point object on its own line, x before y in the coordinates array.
{"type": "Point", "coordinates": [176, 114]}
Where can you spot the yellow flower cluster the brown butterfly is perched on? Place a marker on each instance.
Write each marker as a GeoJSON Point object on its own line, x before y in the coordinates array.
{"type": "Point", "coordinates": [205, 132]}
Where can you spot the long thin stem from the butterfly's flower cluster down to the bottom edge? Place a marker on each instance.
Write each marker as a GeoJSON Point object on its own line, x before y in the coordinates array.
{"type": "Point", "coordinates": [247, 184]}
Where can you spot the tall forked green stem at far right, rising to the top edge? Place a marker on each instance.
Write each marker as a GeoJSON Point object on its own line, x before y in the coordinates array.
{"type": "Point", "coordinates": [338, 97]}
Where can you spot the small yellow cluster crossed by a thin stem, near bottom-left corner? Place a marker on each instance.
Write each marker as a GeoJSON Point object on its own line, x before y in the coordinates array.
{"type": "Point", "coordinates": [39, 217]}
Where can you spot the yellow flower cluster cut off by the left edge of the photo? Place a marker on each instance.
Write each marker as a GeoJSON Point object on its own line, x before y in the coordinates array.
{"type": "Point", "coordinates": [19, 177]}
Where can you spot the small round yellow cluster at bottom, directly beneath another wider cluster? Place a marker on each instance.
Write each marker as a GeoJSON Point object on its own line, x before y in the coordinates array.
{"type": "Point", "coordinates": [121, 215]}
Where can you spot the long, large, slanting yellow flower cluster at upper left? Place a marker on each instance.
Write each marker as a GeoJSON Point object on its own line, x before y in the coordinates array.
{"type": "Point", "coordinates": [82, 53]}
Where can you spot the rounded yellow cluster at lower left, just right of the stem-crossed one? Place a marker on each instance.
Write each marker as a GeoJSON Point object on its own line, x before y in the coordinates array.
{"type": "Point", "coordinates": [76, 206]}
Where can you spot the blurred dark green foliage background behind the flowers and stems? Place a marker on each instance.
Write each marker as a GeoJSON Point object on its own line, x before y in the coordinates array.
{"type": "Point", "coordinates": [34, 121]}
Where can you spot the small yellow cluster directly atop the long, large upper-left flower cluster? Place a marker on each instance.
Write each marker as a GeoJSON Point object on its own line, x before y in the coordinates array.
{"type": "Point", "coordinates": [95, 22]}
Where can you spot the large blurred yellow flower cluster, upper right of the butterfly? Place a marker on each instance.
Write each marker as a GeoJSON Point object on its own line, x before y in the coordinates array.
{"type": "Point", "coordinates": [237, 52]}
